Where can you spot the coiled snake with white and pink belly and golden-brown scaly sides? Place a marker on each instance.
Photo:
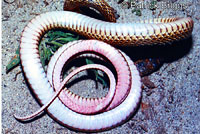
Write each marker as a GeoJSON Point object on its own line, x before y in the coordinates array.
{"type": "Point", "coordinates": [123, 98]}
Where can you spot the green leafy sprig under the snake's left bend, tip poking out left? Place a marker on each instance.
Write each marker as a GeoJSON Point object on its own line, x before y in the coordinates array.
{"type": "Point", "coordinates": [48, 45]}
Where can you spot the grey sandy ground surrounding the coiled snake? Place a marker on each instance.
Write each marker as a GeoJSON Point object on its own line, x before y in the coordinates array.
{"type": "Point", "coordinates": [170, 98]}
